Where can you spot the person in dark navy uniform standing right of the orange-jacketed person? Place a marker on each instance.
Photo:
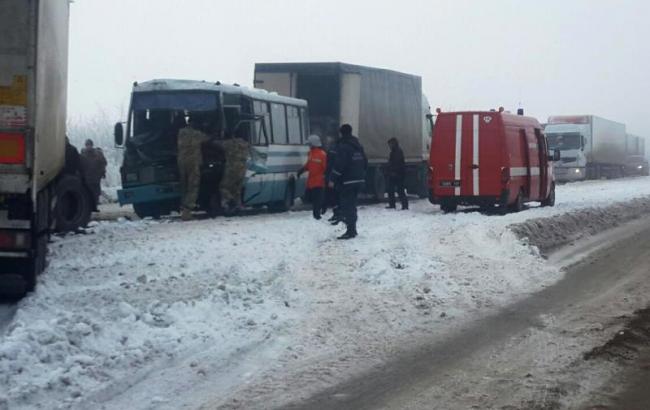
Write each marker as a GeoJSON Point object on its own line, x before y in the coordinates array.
{"type": "Point", "coordinates": [348, 177]}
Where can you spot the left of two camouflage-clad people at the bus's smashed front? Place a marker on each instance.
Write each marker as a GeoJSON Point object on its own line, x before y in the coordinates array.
{"type": "Point", "coordinates": [190, 156]}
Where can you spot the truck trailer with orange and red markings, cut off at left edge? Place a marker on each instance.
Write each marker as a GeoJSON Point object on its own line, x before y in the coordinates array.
{"type": "Point", "coordinates": [39, 191]}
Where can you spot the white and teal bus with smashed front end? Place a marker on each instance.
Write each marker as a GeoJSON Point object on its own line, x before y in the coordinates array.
{"type": "Point", "coordinates": [276, 127]}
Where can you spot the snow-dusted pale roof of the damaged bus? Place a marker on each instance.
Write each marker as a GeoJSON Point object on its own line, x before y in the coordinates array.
{"type": "Point", "coordinates": [194, 85]}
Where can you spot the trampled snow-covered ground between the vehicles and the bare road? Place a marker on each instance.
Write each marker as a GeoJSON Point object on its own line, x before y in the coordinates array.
{"type": "Point", "coordinates": [164, 314]}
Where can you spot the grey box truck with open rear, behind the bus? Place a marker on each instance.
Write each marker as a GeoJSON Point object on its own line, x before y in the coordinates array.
{"type": "Point", "coordinates": [379, 104]}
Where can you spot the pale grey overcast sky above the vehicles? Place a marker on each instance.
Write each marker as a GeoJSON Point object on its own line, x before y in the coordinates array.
{"type": "Point", "coordinates": [553, 57]}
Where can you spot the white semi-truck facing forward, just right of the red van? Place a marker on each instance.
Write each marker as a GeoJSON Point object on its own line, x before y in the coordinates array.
{"type": "Point", "coordinates": [591, 147]}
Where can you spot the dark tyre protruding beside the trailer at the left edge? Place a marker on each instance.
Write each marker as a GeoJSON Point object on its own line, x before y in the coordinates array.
{"type": "Point", "coordinates": [73, 205]}
